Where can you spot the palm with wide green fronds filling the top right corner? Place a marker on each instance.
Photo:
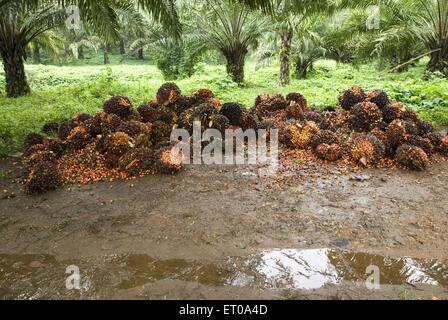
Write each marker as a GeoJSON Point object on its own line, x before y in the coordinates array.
{"type": "Point", "coordinates": [409, 30]}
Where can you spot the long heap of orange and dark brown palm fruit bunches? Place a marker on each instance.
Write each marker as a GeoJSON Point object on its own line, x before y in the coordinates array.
{"type": "Point", "coordinates": [122, 142]}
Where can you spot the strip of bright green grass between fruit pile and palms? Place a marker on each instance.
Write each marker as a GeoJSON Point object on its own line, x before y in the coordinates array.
{"type": "Point", "coordinates": [58, 92]}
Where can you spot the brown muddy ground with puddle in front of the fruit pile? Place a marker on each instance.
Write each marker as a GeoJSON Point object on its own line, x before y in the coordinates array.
{"type": "Point", "coordinates": [199, 234]}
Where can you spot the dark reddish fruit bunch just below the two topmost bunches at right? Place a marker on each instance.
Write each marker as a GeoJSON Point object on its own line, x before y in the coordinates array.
{"type": "Point", "coordinates": [365, 116]}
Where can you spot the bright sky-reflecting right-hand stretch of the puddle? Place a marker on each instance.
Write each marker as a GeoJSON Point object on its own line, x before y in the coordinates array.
{"type": "Point", "coordinates": [314, 268]}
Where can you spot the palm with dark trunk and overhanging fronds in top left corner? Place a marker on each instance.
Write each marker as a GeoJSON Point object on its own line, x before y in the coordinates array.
{"type": "Point", "coordinates": [21, 21]}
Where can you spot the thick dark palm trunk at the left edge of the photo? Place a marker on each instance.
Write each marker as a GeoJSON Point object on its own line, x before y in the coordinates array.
{"type": "Point", "coordinates": [16, 83]}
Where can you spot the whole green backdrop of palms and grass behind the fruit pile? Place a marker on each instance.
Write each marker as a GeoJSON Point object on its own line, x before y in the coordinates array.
{"type": "Point", "coordinates": [130, 48]}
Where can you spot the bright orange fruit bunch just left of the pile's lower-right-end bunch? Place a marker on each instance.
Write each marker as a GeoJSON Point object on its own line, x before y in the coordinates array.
{"type": "Point", "coordinates": [366, 150]}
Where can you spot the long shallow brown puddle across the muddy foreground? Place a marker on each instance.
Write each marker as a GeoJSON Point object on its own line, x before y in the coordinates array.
{"type": "Point", "coordinates": [43, 276]}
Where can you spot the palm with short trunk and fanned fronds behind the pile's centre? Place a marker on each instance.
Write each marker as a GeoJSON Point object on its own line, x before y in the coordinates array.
{"type": "Point", "coordinates": [231, 29]}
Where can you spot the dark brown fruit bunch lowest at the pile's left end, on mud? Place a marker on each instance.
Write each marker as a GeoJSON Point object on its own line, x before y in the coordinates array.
{"type": "Point", "coordinates": [43, 176]}
